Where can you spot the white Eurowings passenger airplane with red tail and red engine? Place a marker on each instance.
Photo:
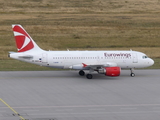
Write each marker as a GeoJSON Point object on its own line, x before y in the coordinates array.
{"type": "Point", "coordinates": [108, 63]}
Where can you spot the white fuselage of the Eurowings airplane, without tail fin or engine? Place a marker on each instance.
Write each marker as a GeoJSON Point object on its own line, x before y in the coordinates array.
{"type": "Point", "coordinates": [76, 59]}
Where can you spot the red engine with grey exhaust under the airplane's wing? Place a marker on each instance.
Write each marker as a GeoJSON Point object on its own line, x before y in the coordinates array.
{"type": "Point", "coordinates": [110, 71]}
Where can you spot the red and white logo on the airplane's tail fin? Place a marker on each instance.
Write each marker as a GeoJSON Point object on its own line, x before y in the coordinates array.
{"type": "Point", "coordinates": [23, 40]}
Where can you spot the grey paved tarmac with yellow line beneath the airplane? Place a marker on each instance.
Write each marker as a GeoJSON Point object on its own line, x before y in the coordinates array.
{"type": "Point", "coordinates": [64, 95]}
